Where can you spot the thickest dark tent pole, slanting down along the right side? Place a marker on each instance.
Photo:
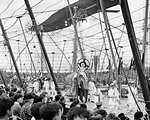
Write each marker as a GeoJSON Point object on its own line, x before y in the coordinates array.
{"type": "Point", "coordinates": [136, 52]}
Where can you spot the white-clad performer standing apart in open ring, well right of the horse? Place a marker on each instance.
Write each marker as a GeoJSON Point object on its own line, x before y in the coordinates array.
{"type": "Point", "coordinates": [113, 95]}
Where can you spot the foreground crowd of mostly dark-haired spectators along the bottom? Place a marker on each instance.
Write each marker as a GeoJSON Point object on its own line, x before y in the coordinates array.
{"type": "Point", "coordinates": [17, 104]}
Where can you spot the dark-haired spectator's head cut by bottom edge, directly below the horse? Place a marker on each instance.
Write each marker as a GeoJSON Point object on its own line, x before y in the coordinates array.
{"type": "Point", "coordinates": [77, 113]}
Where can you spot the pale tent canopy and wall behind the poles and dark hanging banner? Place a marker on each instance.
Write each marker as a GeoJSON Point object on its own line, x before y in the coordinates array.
{"type": "Point", "coordinates": [59, 43]}
